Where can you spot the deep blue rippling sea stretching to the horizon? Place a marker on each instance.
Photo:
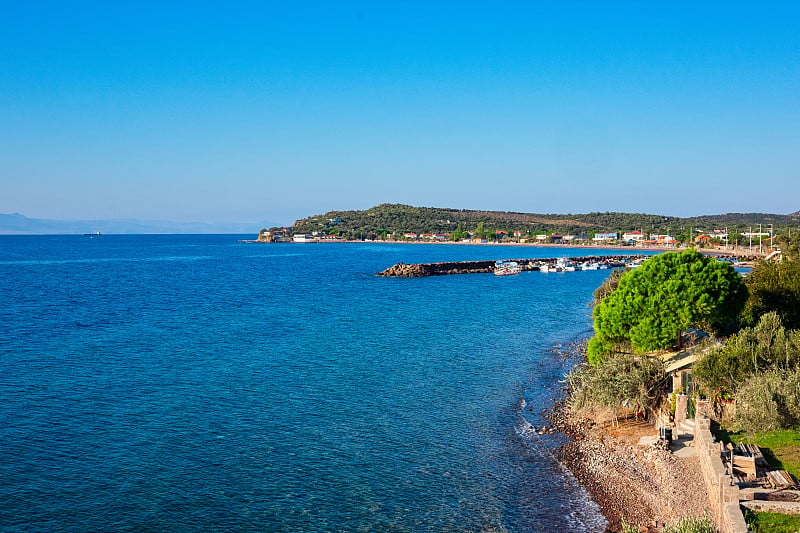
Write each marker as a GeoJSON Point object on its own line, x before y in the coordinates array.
{"type": "Point", "coordinates": [193, 383]}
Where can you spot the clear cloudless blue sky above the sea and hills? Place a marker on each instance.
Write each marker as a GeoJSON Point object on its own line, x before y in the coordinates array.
{"type": "Point", "coordinates": [239, 111]}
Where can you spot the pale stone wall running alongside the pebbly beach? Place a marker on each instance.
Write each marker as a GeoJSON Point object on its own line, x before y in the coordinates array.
{"type": "Point", "coordinates": [722, 491]}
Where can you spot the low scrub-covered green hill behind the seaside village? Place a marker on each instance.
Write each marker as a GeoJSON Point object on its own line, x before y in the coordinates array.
{"type": "Point", "coordinates": [397, 218]}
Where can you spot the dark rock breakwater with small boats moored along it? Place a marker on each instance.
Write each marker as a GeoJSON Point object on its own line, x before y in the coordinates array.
{"type": "Point", "coordinates": [420, 270]}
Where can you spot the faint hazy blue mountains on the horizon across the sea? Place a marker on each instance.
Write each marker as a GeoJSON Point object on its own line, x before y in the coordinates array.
{"type": "Point", "coordinates": [16, 224]}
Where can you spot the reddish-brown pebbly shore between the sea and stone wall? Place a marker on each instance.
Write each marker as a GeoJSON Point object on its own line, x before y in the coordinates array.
{"type": "Point", "coordinates": [644, 486]}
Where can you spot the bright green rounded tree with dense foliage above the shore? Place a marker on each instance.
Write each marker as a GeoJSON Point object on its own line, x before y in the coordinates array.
{"type": "Point", "coordinates": [669, 293]}
